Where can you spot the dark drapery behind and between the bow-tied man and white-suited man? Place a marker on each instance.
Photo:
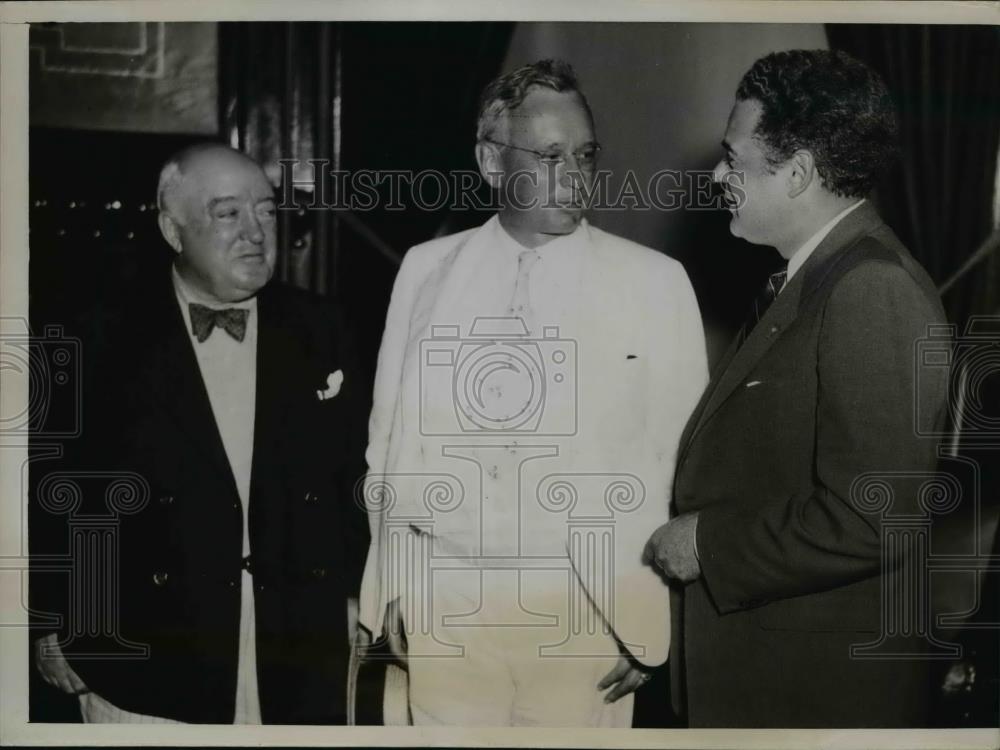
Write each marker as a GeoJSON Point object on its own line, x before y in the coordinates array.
{"type": "Point", "coordinates": [363, 96]}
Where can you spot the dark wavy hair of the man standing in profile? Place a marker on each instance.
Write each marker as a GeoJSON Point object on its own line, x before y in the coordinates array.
{"type": "Point", "coordinates": [830, 104]}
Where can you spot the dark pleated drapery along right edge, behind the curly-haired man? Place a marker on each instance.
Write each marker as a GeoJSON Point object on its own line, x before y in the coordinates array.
{"type": "Point", "coordinates": [940, 200]}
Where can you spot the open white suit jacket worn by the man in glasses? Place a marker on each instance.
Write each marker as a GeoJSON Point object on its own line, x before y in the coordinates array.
{"type": "Point", "coordinates": [640, 370]}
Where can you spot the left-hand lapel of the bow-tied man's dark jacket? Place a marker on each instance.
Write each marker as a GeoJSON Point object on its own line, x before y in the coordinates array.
{"type": "Point", "coordinates": [174, 378]}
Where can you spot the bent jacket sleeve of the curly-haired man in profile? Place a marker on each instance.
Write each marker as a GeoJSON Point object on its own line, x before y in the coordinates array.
{"type": "Point", "coordinates": [867, 392]}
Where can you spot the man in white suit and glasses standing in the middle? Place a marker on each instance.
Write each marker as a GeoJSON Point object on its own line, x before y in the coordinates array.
{"type": "Point", "coordinates": [534, 378]}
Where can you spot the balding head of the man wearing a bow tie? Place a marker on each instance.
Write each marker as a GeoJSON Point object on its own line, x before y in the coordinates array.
{"type": "Point", "coordinates": [217, 212]}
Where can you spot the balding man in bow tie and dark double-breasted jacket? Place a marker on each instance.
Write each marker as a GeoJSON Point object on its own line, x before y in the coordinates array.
{"type": "Point", "coordinates": [221, 399]}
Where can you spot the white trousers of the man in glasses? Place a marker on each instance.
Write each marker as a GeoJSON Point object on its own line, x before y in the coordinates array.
{"type": "Point", "coordinates": [500, 648]}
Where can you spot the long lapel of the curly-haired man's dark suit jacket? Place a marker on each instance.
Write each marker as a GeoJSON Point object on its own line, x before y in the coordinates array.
{"type": "Point", "coordinates": [739, 361]}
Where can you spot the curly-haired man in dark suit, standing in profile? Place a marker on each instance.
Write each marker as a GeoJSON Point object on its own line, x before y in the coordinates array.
{"type": "Point", "coordinates": [779, 560]}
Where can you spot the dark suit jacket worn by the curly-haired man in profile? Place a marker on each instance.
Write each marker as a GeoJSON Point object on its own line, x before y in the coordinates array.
{"type": "Point", "coordinates": [822, 391]}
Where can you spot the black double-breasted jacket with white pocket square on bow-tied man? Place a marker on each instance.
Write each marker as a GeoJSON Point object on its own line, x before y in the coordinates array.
{"type": "Point", "coordinates": [146, 411]}
